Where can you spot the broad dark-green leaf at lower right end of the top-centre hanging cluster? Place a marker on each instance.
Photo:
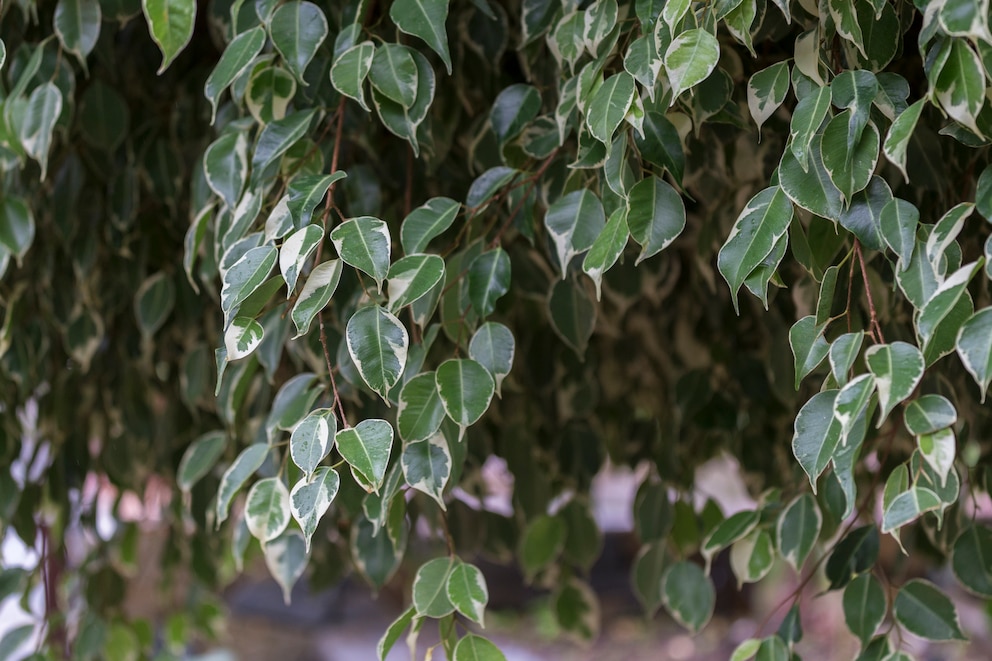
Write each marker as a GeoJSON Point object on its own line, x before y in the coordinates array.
{"type": "Point", "coordinates": [655, 216]}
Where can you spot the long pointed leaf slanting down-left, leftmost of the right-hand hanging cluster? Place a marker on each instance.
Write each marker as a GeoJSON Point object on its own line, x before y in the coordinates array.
{"type": "Point", "coordinates": [761, 224]}
